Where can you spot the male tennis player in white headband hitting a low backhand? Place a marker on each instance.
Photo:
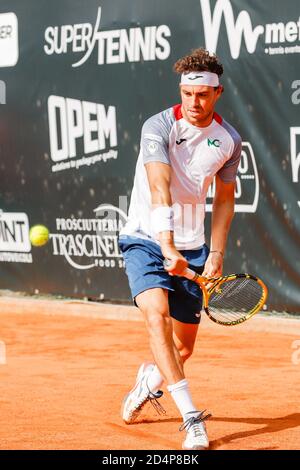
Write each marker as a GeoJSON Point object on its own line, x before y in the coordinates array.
{"type": "Point", "coordinates": [182, 149]}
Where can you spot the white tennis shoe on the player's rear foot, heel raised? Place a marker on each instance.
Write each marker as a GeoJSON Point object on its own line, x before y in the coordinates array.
{"type": "Point", "coordinates": [136, 399]}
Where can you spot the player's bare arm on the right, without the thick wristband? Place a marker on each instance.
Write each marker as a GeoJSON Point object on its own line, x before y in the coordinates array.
{"type": "Point", "coordinates": [222, 215]}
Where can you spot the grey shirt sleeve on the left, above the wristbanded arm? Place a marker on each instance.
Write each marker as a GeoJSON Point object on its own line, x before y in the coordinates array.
{"type": "Point", "coordinates": [155, 140]}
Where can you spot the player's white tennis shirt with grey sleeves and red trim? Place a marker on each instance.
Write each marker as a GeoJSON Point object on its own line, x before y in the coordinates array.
{"type": "Point", "coordinates": [195, 155]}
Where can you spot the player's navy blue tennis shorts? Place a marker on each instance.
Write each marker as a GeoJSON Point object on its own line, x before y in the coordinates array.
{"type": "Point", "coordinates": [145, 270]}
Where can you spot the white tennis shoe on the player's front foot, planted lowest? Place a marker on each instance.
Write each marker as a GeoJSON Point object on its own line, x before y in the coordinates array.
{"type": "Point", "coordinates": [196, 434]}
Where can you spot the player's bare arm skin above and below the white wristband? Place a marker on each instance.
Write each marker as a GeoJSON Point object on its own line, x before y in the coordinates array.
{"type": "Point", "coordinates": [159, 177]}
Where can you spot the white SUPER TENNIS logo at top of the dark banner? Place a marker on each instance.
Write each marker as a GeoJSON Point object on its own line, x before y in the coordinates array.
{"type": "Point", "coordinates": [113, 47]}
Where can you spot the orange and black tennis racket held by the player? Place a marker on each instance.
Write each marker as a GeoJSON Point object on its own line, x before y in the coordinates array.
{"type": "Point", "coordinates": [229, 300]}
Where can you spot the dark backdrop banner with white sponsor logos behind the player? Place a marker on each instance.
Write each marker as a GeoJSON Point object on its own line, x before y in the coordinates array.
{"type": "Point", "coordinates": [77, 80]}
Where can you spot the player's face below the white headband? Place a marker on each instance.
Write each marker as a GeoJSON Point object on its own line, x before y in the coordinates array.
{"type": "Point", "coordinates": [198, 103]}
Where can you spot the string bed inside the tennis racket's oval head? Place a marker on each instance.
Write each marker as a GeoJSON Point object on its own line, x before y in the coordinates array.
{"type": "Point", "coordinates": [235, 299]}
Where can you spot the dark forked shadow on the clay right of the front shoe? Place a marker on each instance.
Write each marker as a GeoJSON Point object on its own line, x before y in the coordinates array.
{"type": "Point", "coordinates": [270, 425]}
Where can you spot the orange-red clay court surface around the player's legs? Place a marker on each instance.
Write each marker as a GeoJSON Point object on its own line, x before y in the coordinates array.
{"type": "Point", "coordinates": [66, 376]}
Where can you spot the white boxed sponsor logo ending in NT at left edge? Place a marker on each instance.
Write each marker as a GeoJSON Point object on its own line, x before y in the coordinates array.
{"type": "Point", "coordinates": [15, 245]}
